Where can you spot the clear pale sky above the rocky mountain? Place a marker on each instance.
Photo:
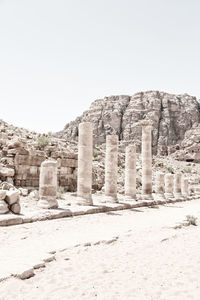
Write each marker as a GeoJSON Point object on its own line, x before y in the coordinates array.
{"type": "Point", "coordinates": [56, 57]}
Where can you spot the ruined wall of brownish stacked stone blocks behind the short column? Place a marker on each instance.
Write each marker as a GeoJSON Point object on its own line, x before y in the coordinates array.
{"type": "Point", "coordinates": [21, 167]}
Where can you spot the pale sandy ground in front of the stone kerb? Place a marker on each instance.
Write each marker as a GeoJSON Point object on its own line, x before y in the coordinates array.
{"type": "Point", "coordinates": [134, 254]}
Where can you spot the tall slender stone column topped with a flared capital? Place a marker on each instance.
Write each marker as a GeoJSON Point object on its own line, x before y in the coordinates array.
{"type": "Point", "coordinates": [146, 160]}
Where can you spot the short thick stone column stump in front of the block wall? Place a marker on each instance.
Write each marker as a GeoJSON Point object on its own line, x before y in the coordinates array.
{"type": "Point", "coordinates": [48, 184]}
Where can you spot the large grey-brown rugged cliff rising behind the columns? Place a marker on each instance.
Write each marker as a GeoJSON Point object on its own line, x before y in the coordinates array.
{"type": "Point", "coordinates": [172, 115]}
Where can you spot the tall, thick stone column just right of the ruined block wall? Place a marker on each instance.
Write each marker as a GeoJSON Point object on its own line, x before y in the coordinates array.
{"type": "Point", "coordinates": [85, 156]}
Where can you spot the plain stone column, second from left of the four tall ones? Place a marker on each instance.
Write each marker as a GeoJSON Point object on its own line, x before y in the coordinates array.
{"type": "Point", "coordinates": [111, 168]}
